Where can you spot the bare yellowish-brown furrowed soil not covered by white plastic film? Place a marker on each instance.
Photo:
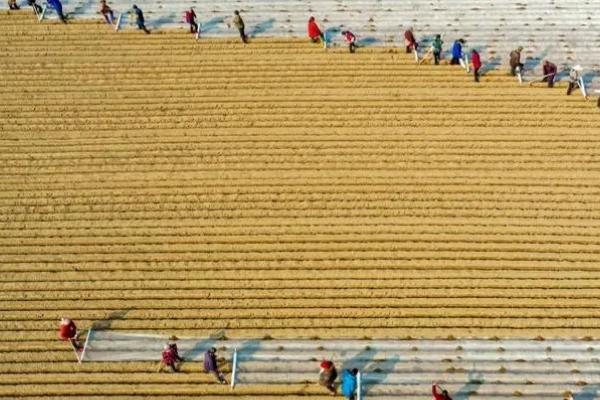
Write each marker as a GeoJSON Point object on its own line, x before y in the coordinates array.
{"type": "Point", "coordinates": [155, 183]}
